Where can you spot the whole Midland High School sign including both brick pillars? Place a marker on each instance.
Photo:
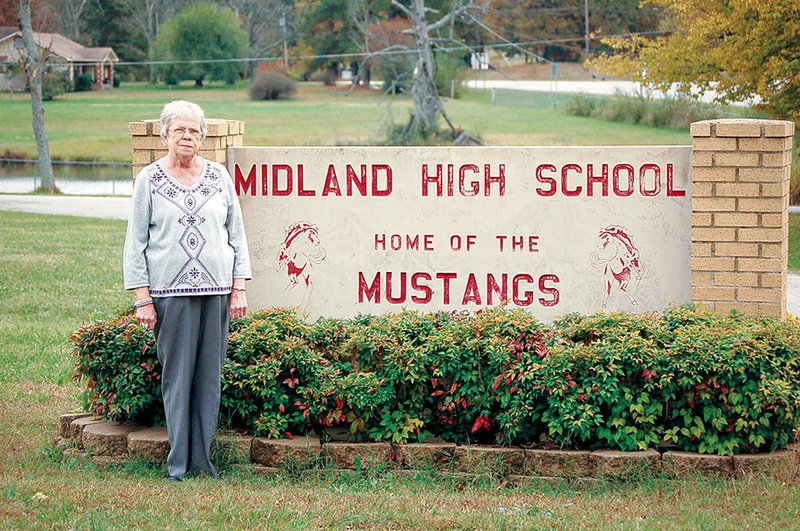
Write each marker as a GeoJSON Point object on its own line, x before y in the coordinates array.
{"type": "Point", "coordinates": [553, 230]}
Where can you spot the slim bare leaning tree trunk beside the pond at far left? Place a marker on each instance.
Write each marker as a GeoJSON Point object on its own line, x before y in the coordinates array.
{"type": "Point", "coordinates": [34, 68]}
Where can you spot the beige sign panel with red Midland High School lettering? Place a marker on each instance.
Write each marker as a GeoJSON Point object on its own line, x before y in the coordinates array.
{"type": "Point", "coordinates": [341, 231]}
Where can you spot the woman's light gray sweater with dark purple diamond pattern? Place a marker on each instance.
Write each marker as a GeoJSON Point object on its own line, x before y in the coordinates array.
{"type": "Point", "coordinates": [185, 241]}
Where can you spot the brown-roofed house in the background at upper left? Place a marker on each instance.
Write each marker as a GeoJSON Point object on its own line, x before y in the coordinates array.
{"type": "Point", "coordinates": [63, 55]}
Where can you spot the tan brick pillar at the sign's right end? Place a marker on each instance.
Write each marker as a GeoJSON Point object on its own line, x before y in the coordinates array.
{"type": "Point", "coordinates": [740, 214]}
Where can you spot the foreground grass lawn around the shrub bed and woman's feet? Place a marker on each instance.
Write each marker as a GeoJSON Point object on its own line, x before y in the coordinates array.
{"type": "Point", "coordinates": [56, 272]}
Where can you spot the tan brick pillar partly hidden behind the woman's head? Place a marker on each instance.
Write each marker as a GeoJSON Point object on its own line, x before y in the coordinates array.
{"type": "Point", "coordinates": [147, 146]}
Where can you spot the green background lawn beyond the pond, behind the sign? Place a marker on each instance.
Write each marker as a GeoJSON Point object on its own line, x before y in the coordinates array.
{"type": "Point", "coordinates": [94, 125]}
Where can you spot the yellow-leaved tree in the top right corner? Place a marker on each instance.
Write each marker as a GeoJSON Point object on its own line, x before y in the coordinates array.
{"type": "Point", "coordinates": [738, 48]}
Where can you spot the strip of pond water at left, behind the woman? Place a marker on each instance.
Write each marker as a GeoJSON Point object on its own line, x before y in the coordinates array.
{"type": "Point", "coordinates": [73, 178]}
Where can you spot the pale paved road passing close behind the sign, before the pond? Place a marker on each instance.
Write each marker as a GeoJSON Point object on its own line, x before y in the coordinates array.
{"type": "Point", "coordinates": [117, 208]}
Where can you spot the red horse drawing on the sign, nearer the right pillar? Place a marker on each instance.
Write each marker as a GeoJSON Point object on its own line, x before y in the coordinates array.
{"type": "Point", "coordinates": [619, 258]}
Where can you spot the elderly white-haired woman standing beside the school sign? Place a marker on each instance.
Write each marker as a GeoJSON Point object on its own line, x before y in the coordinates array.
{"type": "Point", "coordinates": [186, 260]}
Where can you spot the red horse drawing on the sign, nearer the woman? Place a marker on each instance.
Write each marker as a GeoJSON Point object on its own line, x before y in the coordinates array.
{"type": "Point", "coordinates": [300, 250]}
